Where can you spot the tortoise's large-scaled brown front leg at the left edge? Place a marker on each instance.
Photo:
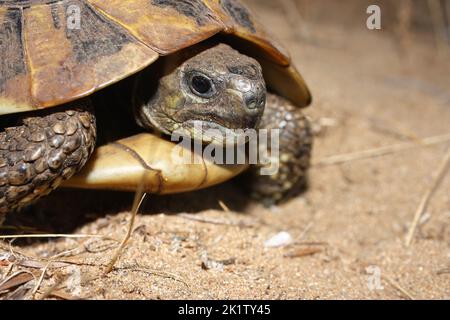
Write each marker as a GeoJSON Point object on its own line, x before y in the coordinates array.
{"type": "Point", "coordinates": [41, 150]}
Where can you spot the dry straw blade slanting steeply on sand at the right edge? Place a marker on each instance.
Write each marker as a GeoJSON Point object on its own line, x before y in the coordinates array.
{"type": "Point", "coordinates": [440, 174]}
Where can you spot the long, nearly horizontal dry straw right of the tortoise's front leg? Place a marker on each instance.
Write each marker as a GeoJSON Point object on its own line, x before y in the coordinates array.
{"type": "Point", "coordinates": [377, 152]}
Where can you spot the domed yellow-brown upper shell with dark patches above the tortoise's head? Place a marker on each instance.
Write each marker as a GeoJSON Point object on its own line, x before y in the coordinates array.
{"type": "Point", "coordinates": [55, 51]}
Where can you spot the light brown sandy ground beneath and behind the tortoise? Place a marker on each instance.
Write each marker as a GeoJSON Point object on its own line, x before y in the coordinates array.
{"type": "Point", "coordinates": [348, 229]}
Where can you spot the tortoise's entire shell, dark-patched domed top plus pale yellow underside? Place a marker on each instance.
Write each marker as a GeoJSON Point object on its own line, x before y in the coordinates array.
{"type": "Point", "coordinates": [56, 51]}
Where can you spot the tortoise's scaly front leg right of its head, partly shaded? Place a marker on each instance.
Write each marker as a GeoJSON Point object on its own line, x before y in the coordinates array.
{"type": "Point", "coordinates": [295, 143]}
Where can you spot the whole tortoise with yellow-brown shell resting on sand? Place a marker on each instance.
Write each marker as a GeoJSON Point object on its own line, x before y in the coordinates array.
{"type": "Point", "coordinates": [90, 90]}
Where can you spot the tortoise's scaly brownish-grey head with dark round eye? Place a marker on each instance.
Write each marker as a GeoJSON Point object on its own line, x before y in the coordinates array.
{"type": "Point", "coordinates": [218, 89]}
